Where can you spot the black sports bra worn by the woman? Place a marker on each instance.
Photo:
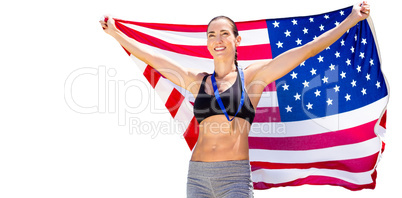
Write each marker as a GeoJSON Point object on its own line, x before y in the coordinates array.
{"type": "Point", "coordinates": [206, 105]}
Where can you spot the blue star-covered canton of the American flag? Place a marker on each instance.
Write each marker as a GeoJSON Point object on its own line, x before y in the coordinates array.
{"type": "Point", "coordinates": [343, 77]}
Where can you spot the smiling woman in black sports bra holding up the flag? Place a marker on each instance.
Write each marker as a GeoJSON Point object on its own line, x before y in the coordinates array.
{"type": "Point", "coordinates": [219, 165]}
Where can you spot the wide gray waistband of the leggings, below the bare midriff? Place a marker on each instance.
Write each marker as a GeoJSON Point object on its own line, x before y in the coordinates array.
{"type": "Point", "coordinates": [219, 169]}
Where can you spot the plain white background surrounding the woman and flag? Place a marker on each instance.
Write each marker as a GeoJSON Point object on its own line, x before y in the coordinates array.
{"type": "Point", "coordinates": [49, 150]}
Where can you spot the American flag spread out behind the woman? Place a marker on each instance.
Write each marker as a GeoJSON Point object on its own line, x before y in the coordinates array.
{"type": "Point", "coordinates": [321, 124]}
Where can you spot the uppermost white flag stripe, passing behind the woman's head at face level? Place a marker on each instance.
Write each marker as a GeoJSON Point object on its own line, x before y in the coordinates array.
{"type": "Point", "coordinates": [249, 37]}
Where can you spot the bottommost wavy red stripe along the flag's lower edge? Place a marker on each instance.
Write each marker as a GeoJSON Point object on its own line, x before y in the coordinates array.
{"type": "Point", "coordinates": [319, 180]}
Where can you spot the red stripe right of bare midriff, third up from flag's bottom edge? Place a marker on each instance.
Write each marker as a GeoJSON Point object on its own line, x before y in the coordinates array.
{"type": "Point", "coordinates": [334, 138]}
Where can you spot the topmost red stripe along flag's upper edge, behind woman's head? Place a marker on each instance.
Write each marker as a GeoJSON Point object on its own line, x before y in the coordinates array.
{"type": "Point", "coordinates": [248, 25]}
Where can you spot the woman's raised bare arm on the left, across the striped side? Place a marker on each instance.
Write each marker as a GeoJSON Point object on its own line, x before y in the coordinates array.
{"type": "Point", "coordinates": [179, 75]}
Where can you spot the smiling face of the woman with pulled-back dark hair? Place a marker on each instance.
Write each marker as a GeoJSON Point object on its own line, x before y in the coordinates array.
{"type": "Point", "coordinates": [221, 41]}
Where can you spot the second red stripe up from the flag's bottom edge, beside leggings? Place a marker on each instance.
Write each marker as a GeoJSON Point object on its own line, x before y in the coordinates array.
{"type": "Point", "coordinates": [353, 165]}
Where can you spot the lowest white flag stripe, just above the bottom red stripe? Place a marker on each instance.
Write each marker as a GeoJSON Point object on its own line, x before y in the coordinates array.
{"type": "Point", "coordinates": [288, 175]}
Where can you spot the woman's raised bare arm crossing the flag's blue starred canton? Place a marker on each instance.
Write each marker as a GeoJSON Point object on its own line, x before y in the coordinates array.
{"type": "Point", "coordinates": [266, 72]}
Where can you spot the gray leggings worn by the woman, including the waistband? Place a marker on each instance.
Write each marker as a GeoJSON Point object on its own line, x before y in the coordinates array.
{"type": "Point", "coordinates": [226, 179]}
